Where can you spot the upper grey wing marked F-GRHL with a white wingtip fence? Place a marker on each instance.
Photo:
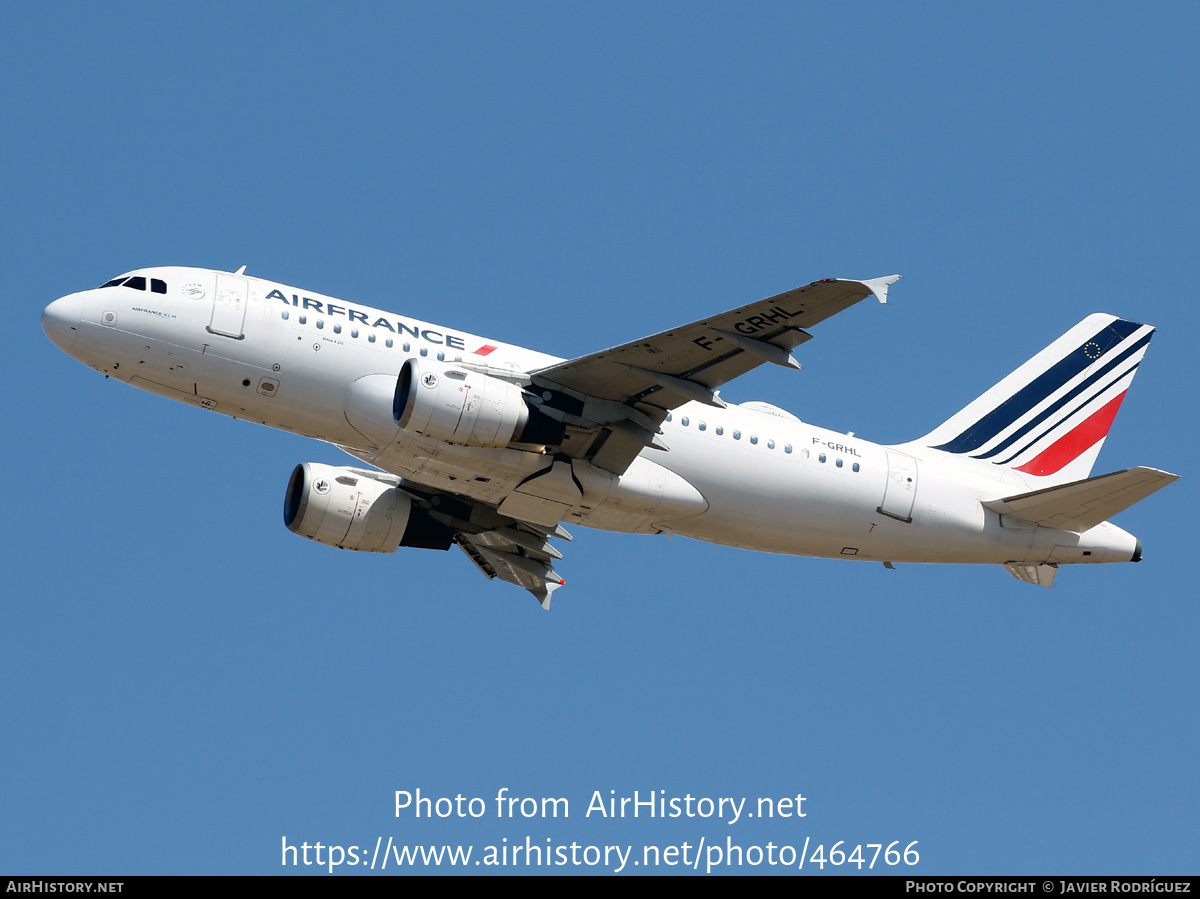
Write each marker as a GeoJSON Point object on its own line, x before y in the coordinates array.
{"type": "Point", "coordinates": [617, 399]}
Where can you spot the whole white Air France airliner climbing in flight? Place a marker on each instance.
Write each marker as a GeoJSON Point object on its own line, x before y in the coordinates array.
{"type": "Point", "coordinates": [466, 441]}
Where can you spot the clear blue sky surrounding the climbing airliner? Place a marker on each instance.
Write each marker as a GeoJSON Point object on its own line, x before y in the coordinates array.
{"type": "Point", "coordinates": [185, 682]}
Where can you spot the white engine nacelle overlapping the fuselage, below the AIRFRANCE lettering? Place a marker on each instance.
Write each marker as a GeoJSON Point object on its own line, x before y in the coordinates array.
{"type": "Point", "coordinates": [459, 406]}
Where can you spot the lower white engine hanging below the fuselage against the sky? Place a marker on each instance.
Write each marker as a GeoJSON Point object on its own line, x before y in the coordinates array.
{"type": "Point", "coordinates": [352, 511]}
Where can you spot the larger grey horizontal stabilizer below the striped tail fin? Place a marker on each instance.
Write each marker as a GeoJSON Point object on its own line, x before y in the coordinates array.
{"type": "Point", "coordinates": [1082, 506]}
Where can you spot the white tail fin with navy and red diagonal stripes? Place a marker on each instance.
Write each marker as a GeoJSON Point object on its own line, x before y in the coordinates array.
{"type": "Point", "coordinates": [1049, 418]}
